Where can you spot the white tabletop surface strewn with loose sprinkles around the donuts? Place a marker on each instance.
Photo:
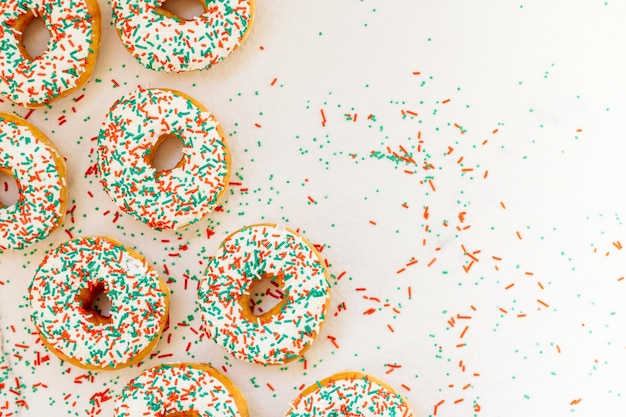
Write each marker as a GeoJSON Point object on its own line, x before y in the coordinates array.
{"type": "Point", "coordinates": [547, 75]}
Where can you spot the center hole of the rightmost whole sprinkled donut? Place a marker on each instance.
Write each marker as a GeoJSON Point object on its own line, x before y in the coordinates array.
{"type": "Point", "coordinates": [266, 297]}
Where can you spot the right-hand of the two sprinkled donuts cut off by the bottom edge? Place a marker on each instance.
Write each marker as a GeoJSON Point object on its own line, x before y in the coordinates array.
{"type": "Point", "coordinates": [350, 394]}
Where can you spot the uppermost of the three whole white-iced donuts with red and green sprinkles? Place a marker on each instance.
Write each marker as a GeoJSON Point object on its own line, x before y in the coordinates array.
{"type": "Point", "coordinates": [134, 128]}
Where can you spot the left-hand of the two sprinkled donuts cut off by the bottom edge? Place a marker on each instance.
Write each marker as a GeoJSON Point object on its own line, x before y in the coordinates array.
{"type": "Point", "coordinates": [181, 389]}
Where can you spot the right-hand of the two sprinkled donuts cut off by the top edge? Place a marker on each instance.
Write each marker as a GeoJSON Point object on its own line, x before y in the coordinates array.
{"type": "Point", "coordinates": [162, 41]}
